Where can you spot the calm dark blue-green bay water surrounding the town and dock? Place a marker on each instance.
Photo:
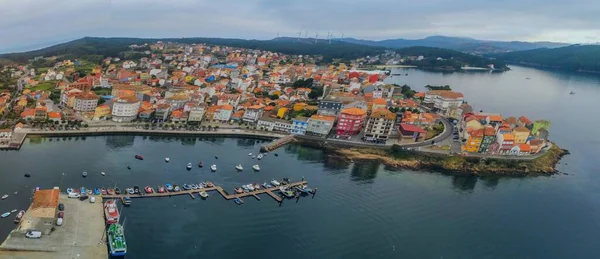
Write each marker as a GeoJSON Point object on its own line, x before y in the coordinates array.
{"type": "Point", "coordinates": [360, 210]}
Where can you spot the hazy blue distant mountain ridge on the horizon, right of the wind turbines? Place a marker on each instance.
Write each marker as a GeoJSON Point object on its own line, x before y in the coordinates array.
{"type": "Point", "coordinates": [468, 45]}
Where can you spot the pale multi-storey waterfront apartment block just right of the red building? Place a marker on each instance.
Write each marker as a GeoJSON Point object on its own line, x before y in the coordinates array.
{"type": "Point", "coordinates": [380, 124]}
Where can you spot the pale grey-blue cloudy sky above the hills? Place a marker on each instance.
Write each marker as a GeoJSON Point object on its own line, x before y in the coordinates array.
{"type": "Point", "coordinates": [30, 24]}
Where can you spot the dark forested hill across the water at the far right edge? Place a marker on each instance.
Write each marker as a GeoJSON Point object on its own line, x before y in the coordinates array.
{"type": "Point", "coordinates": [575, 57]}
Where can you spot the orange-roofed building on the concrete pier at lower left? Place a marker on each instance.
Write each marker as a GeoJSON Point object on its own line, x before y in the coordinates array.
{"type": "Point", "coordinates": [43, 210]}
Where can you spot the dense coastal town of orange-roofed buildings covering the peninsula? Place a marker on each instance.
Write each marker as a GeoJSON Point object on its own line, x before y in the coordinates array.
{"type": "Point", "coordinates": [176, 87]}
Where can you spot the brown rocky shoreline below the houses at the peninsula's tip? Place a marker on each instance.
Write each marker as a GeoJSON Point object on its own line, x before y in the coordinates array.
{"type": "Point", "coordinates": [543, 165]}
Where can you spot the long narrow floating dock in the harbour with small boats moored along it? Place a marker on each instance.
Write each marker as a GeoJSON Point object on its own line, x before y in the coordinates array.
{"type": "Point", "coordinates": [219, 189]}
